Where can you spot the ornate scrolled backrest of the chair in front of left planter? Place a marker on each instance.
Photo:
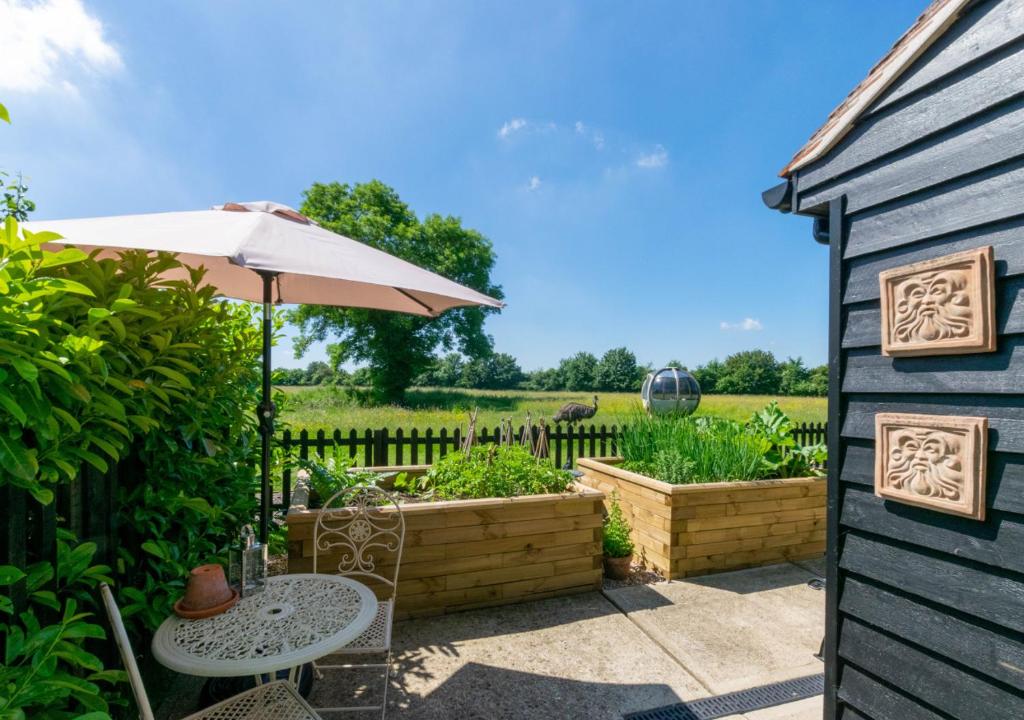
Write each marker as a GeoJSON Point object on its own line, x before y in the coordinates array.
{"type": "Point", "coordinates": [363, 528]}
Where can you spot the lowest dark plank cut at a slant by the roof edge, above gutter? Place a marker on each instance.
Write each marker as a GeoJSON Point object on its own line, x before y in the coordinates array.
{"type": "Point", "coordinates": [959, 97]}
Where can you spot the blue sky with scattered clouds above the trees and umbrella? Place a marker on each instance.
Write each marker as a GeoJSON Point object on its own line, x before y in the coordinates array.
{"type": "Point", "coordinates": [614, 153]}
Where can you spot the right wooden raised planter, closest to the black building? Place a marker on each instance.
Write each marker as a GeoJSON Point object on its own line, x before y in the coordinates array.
{"type": "Point", "coordinates": [686, 531]}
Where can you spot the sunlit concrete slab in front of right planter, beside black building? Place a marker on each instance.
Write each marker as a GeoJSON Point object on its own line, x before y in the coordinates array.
{"type": "Point", "coordinates": [735, 630]}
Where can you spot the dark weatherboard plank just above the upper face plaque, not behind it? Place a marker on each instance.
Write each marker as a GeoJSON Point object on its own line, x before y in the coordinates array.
{"type": "Point", "coordinates": [987, 197]}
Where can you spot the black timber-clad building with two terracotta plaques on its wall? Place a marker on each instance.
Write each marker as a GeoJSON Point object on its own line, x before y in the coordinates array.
{"type": "Point", "coordinates": [924, 161]}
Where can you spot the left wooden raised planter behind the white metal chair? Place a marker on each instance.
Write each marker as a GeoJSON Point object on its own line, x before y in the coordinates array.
{"type": "Point", "coordinates": [462, 555]}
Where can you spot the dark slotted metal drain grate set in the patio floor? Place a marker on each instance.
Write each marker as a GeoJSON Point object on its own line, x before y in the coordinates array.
{"type": "Point", "coordinates": [734, 703]}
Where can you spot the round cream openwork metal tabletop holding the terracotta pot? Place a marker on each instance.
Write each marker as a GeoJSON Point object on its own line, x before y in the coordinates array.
{"type": "Point", "coordinates": [295, 620]}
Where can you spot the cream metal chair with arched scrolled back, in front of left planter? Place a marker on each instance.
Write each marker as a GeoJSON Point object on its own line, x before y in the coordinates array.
{"type": "Point", "coordinates": [363, 530]}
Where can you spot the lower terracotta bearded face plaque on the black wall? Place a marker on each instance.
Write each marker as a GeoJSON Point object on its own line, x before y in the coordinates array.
{"type": "Point", "coordinates": [934, 461]}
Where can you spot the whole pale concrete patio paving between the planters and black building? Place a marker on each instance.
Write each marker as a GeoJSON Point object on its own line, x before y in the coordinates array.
{"type": "Point", "coordinates": [600, 657]}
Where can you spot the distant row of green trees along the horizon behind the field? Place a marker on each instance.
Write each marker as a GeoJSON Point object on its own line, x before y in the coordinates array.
{"type": "Point", "coordinates": [750, 372]}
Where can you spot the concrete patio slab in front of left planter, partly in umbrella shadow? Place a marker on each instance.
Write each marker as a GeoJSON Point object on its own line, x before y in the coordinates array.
{"type": "Point", "coordinates": [564, 658]}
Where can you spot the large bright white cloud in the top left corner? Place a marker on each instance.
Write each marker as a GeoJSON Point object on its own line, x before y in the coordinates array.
{"type": "Point", "coordinates": [46, 43]}
